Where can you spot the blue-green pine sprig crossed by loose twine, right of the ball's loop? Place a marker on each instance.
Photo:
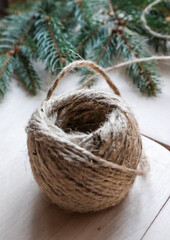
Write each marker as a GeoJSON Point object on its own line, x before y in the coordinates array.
{"type": "Point", "coordinates": [143, 74]}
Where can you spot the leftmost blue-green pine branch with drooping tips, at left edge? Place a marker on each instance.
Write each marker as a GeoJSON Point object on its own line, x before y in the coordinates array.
{"type": "Point", "coordinates": [12, 44]}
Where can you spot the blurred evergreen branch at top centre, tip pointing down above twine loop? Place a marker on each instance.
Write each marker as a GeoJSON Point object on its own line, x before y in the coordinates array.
{"type": "Point", "coordinates": [84, 21]}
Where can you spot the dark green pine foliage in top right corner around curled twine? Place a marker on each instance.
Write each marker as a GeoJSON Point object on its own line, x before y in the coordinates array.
{"type": "Point", "coordinates": [156, 19]}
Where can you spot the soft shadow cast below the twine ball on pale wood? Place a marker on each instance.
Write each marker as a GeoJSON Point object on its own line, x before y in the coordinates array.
{"type": "Point", "coordinates": [51, 222]}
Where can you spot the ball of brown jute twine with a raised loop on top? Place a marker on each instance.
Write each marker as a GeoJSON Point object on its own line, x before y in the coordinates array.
{"type": "Point", "coordinates": [84, 146]}
